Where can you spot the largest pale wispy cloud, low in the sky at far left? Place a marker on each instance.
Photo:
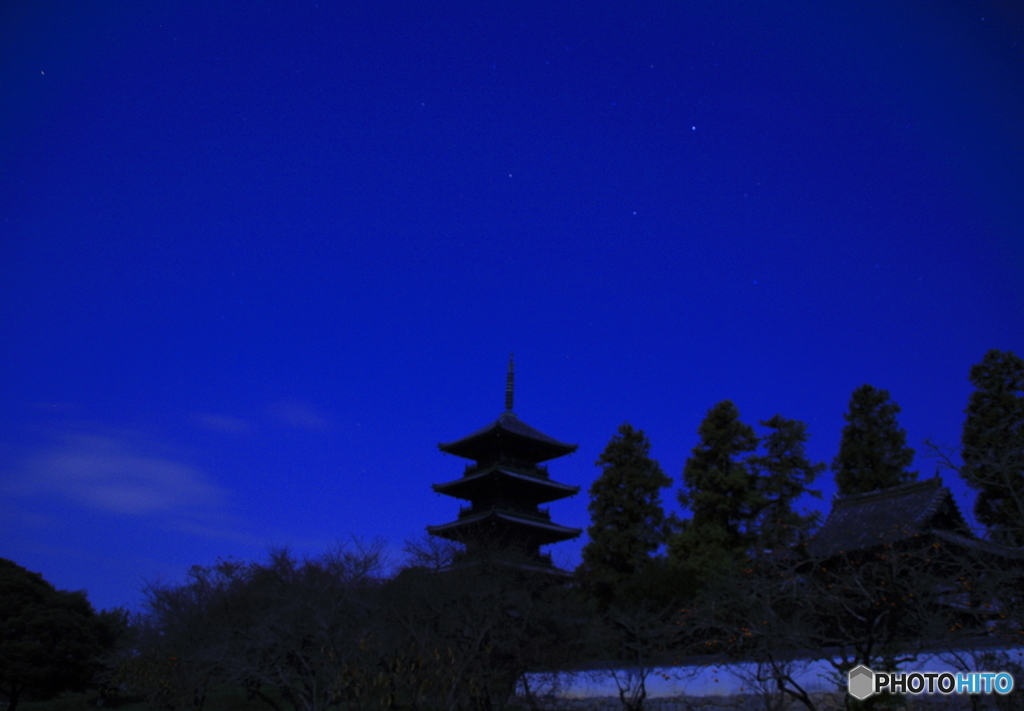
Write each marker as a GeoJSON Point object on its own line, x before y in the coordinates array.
{"type": "Point", "coordinates": [116, 474]}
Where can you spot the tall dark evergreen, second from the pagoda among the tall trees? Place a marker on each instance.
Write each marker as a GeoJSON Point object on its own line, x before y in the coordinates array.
{"type": "Point", "coordinates": [722, 492]}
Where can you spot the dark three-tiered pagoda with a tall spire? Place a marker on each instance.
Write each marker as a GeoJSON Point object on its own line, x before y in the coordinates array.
{"type": "Point", "coordinates": [505, 485]}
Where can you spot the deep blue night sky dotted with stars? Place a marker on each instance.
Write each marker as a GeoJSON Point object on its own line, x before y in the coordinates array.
{"type": "Point", "coordinates": [259, 259]}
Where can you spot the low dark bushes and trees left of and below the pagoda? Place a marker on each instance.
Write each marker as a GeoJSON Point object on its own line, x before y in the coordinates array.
{"type": "Point", "coordinates": [330, 632]}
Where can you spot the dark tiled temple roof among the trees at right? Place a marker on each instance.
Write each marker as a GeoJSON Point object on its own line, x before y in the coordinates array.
{"type": "Point", "coordinates": [887, 516]}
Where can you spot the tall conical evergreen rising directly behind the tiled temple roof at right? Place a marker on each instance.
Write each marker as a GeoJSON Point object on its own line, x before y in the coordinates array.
{"type": "Point", "coordinates": [873, 452]}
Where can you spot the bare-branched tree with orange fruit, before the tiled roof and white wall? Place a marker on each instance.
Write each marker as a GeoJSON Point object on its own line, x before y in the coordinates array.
{"type": "Point", "coordinates": [882, 606]}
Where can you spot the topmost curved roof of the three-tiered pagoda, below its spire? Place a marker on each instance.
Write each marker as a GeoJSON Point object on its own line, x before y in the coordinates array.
{"type": "Point", "coordinates": [511, 437]}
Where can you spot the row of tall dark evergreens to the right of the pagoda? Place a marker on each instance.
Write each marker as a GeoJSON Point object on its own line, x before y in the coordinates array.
{"type": "Point", "coordinates": [741, 486]}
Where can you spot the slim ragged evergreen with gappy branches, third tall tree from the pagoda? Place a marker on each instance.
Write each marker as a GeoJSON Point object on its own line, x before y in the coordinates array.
{"type": "Point", "coordinates": [785, 474]}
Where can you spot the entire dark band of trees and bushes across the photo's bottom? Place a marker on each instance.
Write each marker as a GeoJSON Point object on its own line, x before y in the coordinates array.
{"type": "Point", "coordinates": [737, 582]}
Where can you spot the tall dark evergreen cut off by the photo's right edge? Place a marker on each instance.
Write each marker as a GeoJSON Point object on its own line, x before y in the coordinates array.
{"type": "Point", "coordinates": [994, 445]}
